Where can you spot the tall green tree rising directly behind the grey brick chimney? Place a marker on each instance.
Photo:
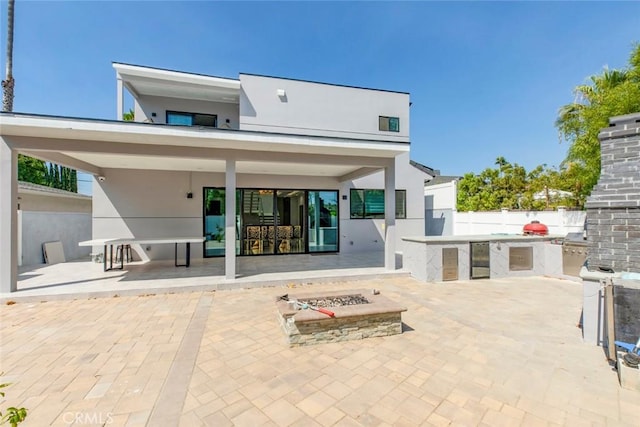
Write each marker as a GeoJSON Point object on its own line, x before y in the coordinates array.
{"type": "Point", "coordinates": [611, 93]}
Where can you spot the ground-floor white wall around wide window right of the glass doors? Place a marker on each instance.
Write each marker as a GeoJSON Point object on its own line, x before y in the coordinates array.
{"type": "Point", "coordinates": [358, 235]}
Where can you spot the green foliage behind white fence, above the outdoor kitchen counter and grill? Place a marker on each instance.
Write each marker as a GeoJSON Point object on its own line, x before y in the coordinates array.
{"type": "Point", "coordinates": [510, 186]}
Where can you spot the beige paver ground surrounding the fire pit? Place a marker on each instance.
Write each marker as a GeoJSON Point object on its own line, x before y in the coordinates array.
{"type": "Point", "coordinates": [487, 352]}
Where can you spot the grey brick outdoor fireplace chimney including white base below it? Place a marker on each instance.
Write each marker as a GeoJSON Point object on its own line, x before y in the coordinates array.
{"type": "Point", "coordinates": [613, 220]}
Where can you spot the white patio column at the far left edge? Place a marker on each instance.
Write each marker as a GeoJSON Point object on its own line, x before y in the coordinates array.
{"type": "Point", "coordinates": [8, 218]}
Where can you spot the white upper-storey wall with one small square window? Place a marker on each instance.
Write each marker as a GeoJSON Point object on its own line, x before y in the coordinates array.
{"type": "Point", "coordinates": [320, 109]}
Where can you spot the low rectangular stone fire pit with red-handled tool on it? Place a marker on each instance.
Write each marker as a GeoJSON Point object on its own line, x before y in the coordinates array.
{"type": "Point", "coordinates": [358, 314]}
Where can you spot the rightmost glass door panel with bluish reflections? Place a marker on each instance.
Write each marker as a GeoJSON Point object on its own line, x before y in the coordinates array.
{"type": "Point", "coordinates": [322, 221]}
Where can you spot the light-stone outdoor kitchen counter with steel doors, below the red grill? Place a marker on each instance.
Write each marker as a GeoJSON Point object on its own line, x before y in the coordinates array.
{"type": "Point", "coordinates": [507, 255]}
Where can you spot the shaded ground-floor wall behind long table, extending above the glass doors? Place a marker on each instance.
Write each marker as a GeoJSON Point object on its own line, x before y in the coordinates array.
{"type": "Point", "coordinates": [167, 212]}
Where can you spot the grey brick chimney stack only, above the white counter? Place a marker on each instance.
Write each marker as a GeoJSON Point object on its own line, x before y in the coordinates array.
{"type": "Point", "coordinates": [613, 208]}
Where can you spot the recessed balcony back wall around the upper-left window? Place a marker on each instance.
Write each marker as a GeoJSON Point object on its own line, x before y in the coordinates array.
{"type": "Point", "coordinates": [146, 105]}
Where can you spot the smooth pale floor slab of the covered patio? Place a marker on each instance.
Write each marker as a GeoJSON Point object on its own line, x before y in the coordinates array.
{"type": "Point", "coordinates": [86, 279]}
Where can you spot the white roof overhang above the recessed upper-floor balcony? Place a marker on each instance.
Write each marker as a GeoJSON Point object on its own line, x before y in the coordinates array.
{"type": "Point", "coordinates": [145, 81]}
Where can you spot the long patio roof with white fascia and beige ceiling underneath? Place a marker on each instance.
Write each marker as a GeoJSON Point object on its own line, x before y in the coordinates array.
{"type": "Point", "coordinates": [94, 145]}
